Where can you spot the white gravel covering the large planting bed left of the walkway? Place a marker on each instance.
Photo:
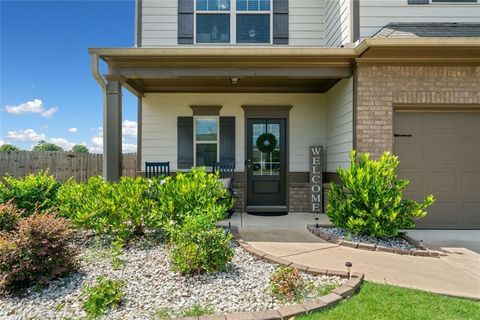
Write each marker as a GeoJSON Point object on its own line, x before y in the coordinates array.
{"type": "Point", "coordinates": [151, 286]}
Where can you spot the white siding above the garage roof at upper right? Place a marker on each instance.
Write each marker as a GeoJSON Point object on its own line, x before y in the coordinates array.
{"type": "Point", "coordinates": [374, 14]}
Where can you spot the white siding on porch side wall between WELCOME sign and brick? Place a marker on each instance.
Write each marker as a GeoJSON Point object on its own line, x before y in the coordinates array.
{"type": "Point", "coordinates": [339, 134]}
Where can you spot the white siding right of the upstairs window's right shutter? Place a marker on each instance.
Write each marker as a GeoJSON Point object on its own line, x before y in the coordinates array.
{"type": "Point", "coordinates": [306, 22]}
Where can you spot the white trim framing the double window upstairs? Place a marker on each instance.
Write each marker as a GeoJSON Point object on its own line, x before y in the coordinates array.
{"type": "Point", "coordinates": [233, 24]}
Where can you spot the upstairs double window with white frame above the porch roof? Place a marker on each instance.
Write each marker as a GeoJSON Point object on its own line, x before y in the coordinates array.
{"type": "Point", "coordinates": [233, 21]}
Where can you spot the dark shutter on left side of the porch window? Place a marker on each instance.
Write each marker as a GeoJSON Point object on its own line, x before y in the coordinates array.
{"type": "Point", "coordinates": [185, 142]}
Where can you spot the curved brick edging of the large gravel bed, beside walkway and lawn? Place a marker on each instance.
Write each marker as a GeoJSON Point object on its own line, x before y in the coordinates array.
{"type": "Point", "coordinates": [349, 288]}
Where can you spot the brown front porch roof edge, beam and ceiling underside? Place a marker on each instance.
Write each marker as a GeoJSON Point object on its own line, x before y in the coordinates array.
{"type": "Point", "coordinates": [259, 69]}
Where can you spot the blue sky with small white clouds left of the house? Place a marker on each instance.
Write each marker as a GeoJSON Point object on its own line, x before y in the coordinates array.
{"type": "Point", "coordinates": [46, 88]}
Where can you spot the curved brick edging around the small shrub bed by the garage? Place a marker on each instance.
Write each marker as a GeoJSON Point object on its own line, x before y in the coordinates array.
{"type": "Point", "coordinates": [425, 252]}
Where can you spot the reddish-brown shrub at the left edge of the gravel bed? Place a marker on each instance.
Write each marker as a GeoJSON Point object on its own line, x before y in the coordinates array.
{"type": "Point", "coordinates": [37, 253]}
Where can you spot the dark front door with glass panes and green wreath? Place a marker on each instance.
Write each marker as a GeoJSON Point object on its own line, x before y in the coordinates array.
{"type": "Point", "coordinates": [266, 165]}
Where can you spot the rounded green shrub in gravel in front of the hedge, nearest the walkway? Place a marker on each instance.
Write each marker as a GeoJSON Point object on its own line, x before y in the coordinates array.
{"type": "Point", "coordinates": [198, 246]}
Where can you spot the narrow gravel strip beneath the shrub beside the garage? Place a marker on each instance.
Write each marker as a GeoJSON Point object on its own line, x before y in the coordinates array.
{"type": "Point", "coordinates": [394, 243]}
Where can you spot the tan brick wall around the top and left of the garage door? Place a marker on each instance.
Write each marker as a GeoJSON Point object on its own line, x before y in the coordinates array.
{"type": "Point", "coordinates": [378, 88]}
